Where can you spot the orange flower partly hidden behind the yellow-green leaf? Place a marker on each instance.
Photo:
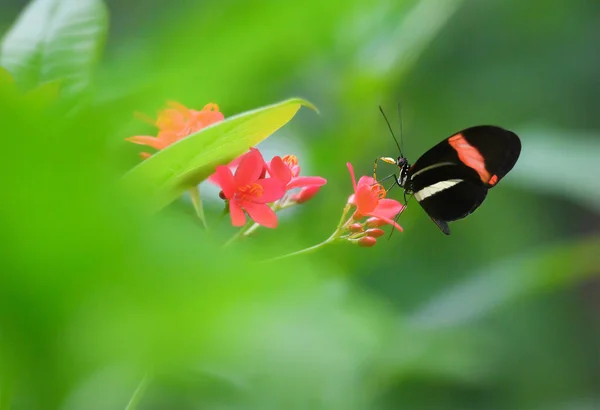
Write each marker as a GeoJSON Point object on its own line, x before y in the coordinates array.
{"type": "Point", "coordinates": [177, 122]}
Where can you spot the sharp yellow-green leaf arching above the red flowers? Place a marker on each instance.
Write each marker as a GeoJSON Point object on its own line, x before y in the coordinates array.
{"type": "Point", "coordinates": [164, 176]}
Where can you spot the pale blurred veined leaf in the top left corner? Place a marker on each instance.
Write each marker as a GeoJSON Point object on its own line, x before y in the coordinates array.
{"type": "Point", "coordinates": [55, 40]}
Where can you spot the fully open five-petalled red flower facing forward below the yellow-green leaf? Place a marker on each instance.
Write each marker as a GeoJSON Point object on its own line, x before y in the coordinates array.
{"type": "Point", "coordinates": [248, 190]}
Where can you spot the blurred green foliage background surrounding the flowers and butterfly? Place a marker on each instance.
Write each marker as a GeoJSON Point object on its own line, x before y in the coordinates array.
{"type": "Point", "coordinates": [95, 296]}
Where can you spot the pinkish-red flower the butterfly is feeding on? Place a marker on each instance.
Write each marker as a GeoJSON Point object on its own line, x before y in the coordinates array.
{"type": "Point", "coordinates": [369, 199]}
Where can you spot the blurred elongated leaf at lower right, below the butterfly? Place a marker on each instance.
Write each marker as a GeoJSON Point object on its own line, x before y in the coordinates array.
{"type": "Point", "coordinates": [509, 280]}
